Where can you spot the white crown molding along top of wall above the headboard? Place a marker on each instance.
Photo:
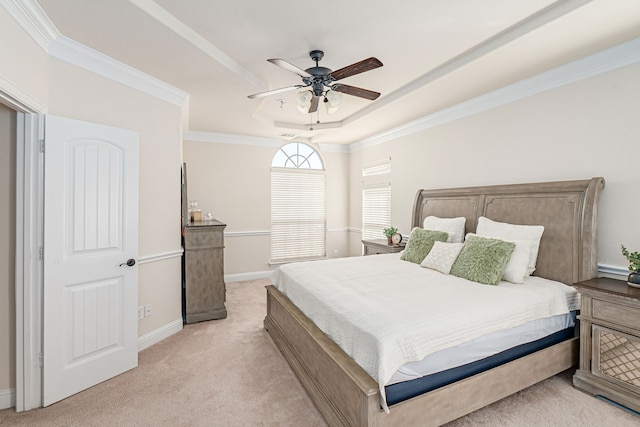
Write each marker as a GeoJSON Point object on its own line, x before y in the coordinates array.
{"type": "Point", "coordinates": [604, 61]}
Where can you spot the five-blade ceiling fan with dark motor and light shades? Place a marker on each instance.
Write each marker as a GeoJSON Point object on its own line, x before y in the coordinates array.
{"type": "Point", "coordinates": [321, 80]}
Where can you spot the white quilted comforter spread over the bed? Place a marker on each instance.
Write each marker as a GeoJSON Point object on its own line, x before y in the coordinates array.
{"type": "Point", "coordinates": [385, 312]}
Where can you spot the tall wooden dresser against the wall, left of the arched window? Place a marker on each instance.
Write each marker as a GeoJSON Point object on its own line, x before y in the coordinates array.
{"type": "Point", "coordinates": [204, 290]}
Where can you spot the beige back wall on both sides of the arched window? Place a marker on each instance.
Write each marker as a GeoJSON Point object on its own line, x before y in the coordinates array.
{"type": "Point", "coordinates": [234, 183]}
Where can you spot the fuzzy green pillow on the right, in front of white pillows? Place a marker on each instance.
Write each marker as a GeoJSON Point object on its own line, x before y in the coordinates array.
{"type": "Point", "coordinates": [483, 260]}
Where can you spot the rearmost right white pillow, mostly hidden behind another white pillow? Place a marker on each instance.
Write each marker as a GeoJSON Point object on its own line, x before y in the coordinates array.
{"type": "Point", "coordinates": [513, 232]}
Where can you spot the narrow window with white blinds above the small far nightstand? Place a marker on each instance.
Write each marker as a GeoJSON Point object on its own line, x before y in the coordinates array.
{"type": "Point", "coordinates": [376, 198]}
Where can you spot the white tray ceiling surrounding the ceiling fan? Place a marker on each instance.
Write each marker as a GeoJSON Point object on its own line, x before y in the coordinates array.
{"type": "Point", "coordinates": [436, 53]}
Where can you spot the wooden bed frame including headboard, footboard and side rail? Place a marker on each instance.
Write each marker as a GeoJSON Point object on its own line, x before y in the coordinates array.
{"type": "Point", "coordinates": [347, 396]}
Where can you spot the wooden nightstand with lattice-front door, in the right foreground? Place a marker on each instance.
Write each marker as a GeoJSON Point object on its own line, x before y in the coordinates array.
{"type": "Point", "coordinates": [609, 341]}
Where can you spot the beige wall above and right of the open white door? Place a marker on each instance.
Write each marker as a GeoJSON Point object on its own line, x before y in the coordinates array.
{"type": "Point", "coordinates": [73, 93]}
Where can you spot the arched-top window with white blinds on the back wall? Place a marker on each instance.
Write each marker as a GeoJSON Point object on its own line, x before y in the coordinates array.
{"type": "Point", "coordinates": [298, 217]}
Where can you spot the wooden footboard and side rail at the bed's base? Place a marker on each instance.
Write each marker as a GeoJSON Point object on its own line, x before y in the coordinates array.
{"type": "Point", "coordinates": [347, 396]}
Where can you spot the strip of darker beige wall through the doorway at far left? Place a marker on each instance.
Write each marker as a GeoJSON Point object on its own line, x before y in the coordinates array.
{"type": "Point", "coordinates": [7, 247]}
